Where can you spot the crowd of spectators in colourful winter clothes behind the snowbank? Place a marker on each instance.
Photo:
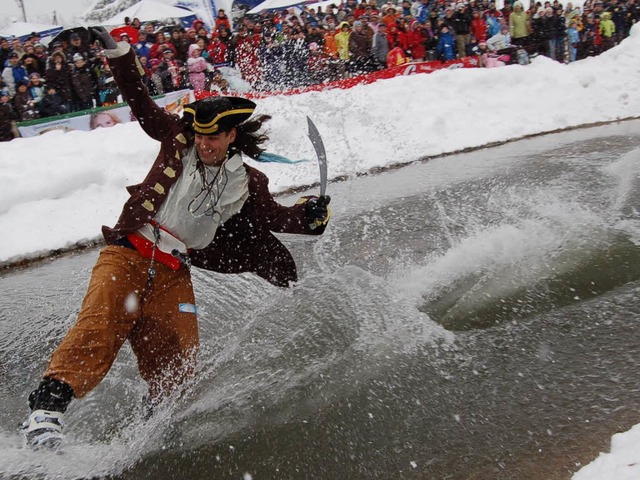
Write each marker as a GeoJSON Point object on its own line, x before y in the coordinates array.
{"type": "Point", "coordinates": [293, 48]}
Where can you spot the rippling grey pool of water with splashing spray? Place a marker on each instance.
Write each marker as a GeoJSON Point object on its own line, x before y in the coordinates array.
{"type": "Point", "coordinates": [468, 317]}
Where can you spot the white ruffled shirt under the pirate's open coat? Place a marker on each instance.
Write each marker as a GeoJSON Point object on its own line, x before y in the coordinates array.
{"type": "Point", "coordinates": [188, 211]}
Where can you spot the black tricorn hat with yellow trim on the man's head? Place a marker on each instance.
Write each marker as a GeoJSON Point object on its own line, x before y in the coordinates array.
{"type": "Point", "coordinates": [212, 115]}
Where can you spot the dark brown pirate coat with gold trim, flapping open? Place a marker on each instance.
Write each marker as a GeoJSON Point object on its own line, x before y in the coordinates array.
{"type": "Point", "coordinates": [244, 243]}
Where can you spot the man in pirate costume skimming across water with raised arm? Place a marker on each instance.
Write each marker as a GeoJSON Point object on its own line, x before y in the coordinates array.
{"type": "Point", "coordinates": [199, 205]}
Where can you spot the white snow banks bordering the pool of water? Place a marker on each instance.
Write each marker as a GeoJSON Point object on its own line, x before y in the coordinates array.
{"type": "Point", "coordinates": [60, 188]}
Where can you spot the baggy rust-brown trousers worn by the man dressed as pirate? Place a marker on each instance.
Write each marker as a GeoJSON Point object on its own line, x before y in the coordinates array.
{"type": "Point", "coordinates": [117, 307]}
